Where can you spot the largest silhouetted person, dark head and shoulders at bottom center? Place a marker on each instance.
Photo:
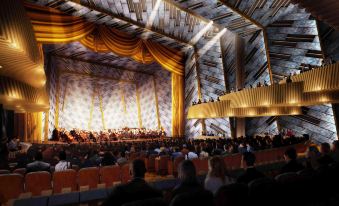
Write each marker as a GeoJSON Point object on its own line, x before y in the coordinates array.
{"type": "Point", "coordinates": [136, 189]}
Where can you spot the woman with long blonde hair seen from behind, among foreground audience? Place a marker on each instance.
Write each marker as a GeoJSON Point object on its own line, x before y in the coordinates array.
{"type": "Point", "coordinates": [217, 175]}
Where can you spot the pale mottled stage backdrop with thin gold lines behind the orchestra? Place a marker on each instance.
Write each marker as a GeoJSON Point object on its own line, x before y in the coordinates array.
{"type": "Point", "coordinates": [89, 96]}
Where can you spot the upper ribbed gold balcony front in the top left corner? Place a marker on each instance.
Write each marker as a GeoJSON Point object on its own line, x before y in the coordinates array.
{"type": "Point", "coordinates": [20, 56]}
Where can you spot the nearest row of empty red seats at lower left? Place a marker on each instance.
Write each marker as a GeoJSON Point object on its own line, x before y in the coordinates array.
{"type": "Point", "coordinates": [37, 183]}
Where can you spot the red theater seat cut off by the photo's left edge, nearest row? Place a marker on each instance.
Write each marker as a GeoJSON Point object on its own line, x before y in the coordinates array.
{"type": "Point", "coordinates": [11, 186]}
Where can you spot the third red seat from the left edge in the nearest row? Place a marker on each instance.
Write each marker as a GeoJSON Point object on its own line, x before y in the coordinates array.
{"type": "Point", "coordinates": [64, 179]}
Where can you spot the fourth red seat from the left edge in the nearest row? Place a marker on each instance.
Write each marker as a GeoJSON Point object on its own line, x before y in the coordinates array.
{"type": "Point", "coordinates": [88, 177]}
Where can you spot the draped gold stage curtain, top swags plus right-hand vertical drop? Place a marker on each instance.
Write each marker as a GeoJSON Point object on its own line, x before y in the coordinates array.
{"type": "Point", "coordinates": [53, 26]}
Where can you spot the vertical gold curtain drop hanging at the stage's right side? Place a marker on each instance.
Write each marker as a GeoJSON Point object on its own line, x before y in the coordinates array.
{"type": "Point", "coordinates": [177, 105]}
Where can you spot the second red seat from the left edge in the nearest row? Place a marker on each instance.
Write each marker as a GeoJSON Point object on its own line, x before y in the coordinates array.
{"type": "Point", "coordinates": [36, 182]}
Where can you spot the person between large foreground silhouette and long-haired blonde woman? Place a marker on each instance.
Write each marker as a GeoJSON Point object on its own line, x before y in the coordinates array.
{"type": "Point", "coordinates": [188, 180]}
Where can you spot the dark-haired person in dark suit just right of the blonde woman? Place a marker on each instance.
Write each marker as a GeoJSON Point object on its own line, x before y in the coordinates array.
{"type": "Point", "coordinates": [251, 172]}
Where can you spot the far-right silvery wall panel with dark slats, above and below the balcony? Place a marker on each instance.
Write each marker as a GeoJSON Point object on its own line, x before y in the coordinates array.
{"type": "Point", "coordinates": [294, 41]}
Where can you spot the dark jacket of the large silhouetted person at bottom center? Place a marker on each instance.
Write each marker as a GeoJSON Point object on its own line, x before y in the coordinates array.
{"type": "Point", "coordinates": [137, 189]}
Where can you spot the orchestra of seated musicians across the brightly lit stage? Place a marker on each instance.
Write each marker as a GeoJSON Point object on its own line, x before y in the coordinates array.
{"type": "Point", "coordinates": [79, 135]}
